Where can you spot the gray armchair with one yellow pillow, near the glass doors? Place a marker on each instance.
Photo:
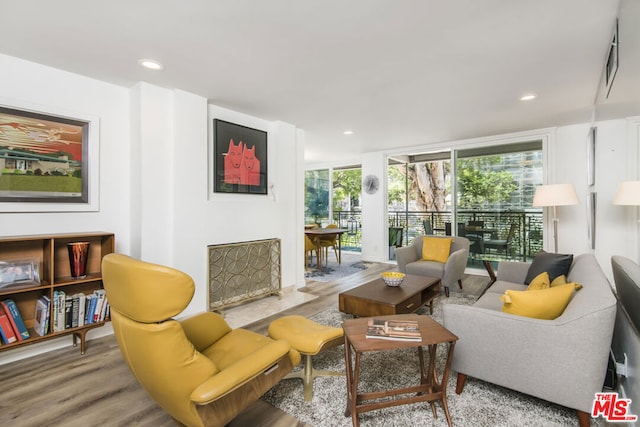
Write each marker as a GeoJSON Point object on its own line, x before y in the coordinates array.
{"type": "Point", "coordinates": [410, 261]}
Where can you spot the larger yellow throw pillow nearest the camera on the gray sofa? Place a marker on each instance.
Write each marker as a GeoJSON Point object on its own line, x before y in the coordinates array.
{"type": "Point", "coordinates": [541, 304]}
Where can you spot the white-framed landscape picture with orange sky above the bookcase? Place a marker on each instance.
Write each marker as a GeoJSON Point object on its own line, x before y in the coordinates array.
{"type": "Point", "coordinates": [48, 159]}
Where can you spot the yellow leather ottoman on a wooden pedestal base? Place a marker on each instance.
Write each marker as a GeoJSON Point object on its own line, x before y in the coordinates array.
{"type": "Point", "coordinates": [309, 338]}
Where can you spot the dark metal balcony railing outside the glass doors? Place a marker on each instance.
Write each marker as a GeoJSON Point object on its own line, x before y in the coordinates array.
{"type": "Point", "coordinates": [526, 242]}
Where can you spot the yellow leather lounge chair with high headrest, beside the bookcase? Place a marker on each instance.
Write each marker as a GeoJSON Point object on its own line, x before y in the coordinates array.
{"type": "Point", "coordinates": [199, 370]}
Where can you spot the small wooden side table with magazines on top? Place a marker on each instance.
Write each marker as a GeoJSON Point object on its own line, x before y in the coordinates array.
{"type": "Point", "coordinates": [430, 388]}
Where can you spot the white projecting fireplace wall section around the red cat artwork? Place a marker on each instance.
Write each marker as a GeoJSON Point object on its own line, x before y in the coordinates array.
{"type": "Point", "coordinates": [179, 215]}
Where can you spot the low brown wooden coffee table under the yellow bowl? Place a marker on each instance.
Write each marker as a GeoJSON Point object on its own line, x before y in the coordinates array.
{"type": "Point", "coordinates": [375, 298]}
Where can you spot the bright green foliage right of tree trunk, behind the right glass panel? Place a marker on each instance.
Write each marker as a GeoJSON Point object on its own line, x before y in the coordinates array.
{"type": "Point", "coordinates": [482, 187]}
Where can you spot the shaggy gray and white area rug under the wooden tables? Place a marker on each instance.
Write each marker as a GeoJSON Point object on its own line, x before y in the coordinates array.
{"type": "Point", "coordinates": [481, 404]}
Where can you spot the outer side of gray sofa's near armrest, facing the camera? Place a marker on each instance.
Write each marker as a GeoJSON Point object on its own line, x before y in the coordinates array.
{"type": "Point", "coordinates": [543, 358]}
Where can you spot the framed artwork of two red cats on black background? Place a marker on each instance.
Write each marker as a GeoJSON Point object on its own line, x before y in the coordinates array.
{"type": "Point", "coordinates": [240, 159]}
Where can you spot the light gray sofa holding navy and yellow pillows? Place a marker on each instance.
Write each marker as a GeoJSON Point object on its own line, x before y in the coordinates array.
{"type": "Point", "coordinates": [562, 360]}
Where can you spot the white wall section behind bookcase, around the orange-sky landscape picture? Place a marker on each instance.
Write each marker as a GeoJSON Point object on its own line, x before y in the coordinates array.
{"type": "Point", "coordinates": [56, 90]}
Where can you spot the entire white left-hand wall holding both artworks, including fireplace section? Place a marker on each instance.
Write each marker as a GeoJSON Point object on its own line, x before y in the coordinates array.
{"type": "Point", "coordinates": [154, 194]}
